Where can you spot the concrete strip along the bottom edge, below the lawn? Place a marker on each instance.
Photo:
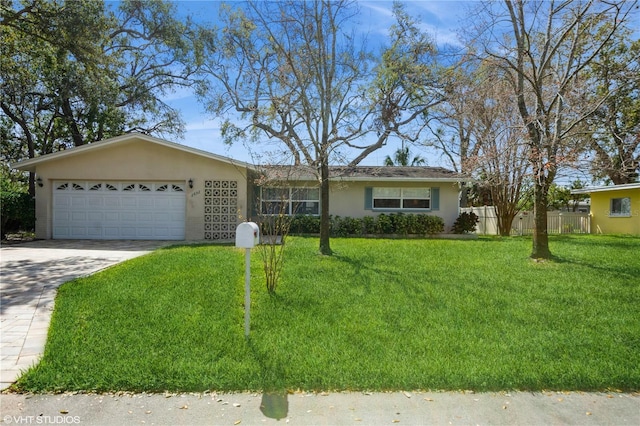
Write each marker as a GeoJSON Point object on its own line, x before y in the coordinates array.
{"type": "Point", "coordinates": [432, 408]}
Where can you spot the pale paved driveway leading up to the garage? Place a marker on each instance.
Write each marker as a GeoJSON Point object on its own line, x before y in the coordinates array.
{"type": "Point", "coordinates": [30, 273]}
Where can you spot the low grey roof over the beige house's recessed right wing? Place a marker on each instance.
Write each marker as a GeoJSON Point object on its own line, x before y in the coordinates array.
{"type": "Point", "coordinates": [364, 173]}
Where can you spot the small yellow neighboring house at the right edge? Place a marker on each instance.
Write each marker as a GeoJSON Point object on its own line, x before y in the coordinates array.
{"type": "Point", "coordinates": [614, 209]}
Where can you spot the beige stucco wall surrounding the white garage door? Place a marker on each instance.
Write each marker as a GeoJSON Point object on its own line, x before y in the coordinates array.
{"type": "Point", "coordinates": [141, 161]}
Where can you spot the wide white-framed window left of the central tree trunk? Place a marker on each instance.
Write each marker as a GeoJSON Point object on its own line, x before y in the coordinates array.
{"type": "Point", "coordinates": [290, 201]}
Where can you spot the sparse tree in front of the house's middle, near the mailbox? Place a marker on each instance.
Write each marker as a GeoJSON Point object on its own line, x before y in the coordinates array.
{"type": "Point", "coordinates": [292, 72]}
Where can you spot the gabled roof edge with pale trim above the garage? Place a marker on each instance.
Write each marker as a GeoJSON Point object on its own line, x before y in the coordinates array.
{"type": "Point", "coordinates": [30, 165]}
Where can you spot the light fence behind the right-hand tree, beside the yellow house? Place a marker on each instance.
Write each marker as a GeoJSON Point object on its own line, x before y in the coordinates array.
{"type": "Point", "coordinates": [557, 222]}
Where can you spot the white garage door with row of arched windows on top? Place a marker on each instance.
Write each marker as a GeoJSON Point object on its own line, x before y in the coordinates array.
{"type": "Point", "coordinates": [118, 210]}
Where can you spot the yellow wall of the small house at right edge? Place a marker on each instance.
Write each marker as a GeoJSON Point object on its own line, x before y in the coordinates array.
{"type": "Point", "coordinates": [602, 222]}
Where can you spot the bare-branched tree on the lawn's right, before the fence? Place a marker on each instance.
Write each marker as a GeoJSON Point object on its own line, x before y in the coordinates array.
{"type": "Point", "coordinates": [543, 49]}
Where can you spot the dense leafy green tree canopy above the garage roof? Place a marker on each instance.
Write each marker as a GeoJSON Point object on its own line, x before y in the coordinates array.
{"type": "Point", "coordinates": [73, 72]}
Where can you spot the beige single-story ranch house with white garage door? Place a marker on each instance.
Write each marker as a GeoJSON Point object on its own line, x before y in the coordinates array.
{"type": "Point", "coordinates": [140, 187]}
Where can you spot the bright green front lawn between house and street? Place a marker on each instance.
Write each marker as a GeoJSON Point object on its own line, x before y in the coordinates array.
{"type": "Point", "coordinates": [379, 315]}
